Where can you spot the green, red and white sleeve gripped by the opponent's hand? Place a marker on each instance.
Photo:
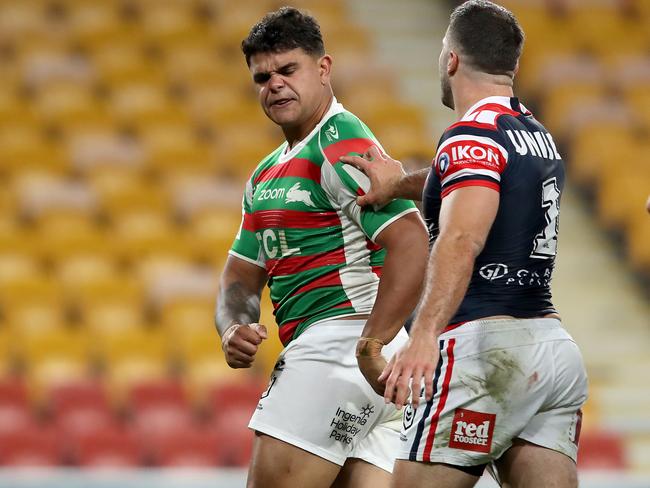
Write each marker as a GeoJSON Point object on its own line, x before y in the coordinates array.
{"type": "Point", "coordinates": [344, 183]}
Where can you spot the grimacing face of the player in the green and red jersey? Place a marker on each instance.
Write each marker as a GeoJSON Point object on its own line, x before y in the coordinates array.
{"type": "Point", "coordinates": [290, 85]}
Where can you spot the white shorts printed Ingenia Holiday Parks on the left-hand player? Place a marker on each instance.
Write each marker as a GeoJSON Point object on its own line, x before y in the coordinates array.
{"type": "Point", "coordinates": [319, 401]}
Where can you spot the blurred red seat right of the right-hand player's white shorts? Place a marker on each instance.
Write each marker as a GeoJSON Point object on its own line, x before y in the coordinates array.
{"type": "Point", "coordinates": [601, 450]}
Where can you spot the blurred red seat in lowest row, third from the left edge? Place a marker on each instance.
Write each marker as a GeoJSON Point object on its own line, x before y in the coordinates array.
{"type": "Point", "coordinates": [191, 447]}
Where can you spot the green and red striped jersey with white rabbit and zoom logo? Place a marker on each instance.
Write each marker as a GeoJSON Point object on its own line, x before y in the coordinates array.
{"type": "Point", "coordinates": [302, 224]}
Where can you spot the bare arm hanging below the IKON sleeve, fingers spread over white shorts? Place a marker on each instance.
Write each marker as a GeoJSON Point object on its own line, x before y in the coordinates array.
{"type": "Point", "coordinates": [466, 217]}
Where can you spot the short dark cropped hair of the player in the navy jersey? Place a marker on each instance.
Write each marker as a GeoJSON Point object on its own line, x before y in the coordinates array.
{"type": "Point", "coordinates": [488, 34]}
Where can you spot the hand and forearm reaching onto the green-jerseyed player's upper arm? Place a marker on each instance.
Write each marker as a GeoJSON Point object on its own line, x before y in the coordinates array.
{"type": "Point", "coordinates": [388, 180]}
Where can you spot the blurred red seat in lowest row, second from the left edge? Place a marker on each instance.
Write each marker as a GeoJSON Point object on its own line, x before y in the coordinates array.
{"type": "Point", "coordinates": [107, 448]}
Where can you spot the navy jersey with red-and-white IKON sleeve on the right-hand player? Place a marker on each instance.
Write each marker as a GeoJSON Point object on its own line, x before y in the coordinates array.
{"type": "Point", "coordinates": [500, 145]}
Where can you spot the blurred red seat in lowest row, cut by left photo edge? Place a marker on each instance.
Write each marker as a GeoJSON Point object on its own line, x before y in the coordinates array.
{"type": "Point", "coordinates": [32, 446]}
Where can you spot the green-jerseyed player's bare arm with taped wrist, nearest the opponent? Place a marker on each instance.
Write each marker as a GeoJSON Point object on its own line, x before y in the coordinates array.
{"type": "Point", "coordinates": [406, 243]}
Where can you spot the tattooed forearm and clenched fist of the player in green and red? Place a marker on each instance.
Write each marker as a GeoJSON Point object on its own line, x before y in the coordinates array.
{"type": "Point", "coordinates": [238, 310]}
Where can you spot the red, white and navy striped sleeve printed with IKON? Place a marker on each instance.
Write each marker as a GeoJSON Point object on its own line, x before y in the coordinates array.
{"type": "Point", "coordinates": [470, 157]}
